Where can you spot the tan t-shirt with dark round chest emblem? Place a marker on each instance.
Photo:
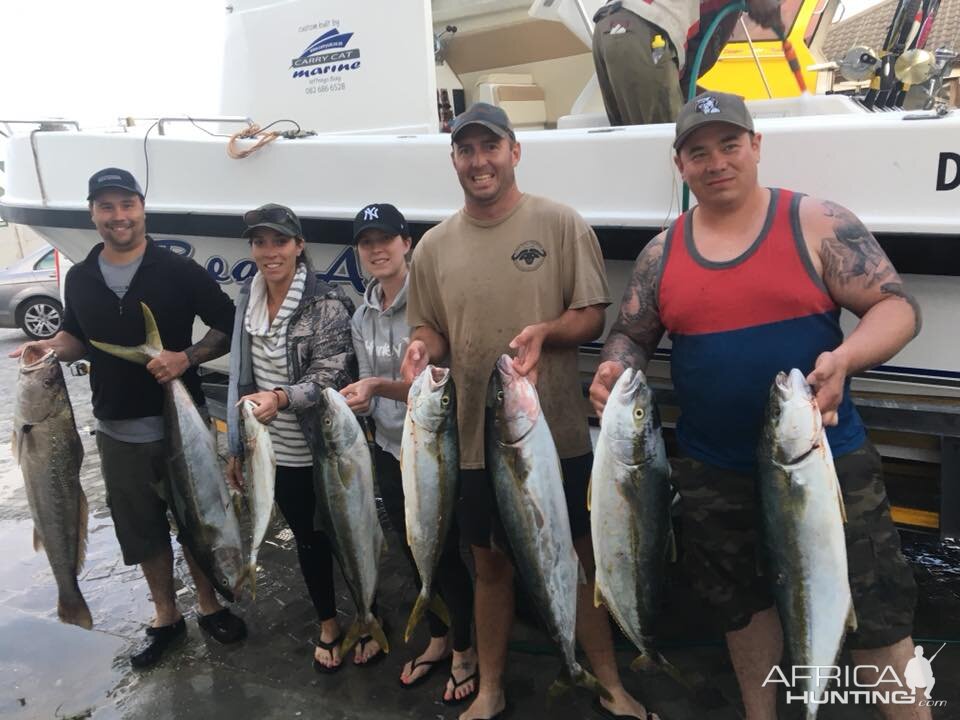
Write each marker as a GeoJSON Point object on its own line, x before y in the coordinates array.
{"type": "Point", "coordinates": [479, 283]}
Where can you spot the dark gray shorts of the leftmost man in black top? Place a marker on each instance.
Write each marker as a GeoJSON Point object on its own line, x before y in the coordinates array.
{"type": "Point", "coordinates": [135, 475]}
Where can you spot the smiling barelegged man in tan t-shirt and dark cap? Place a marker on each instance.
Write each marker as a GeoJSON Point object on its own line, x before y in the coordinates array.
{"type": "Point", "coordinates": [512, 272]}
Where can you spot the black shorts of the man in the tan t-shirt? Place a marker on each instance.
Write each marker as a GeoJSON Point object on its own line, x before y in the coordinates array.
{"type": "Point", "coordinates": [477, 512]}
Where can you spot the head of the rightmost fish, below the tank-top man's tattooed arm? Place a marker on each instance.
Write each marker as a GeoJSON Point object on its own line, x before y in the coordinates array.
{"type": "Point", "coordinates": [794, 426]}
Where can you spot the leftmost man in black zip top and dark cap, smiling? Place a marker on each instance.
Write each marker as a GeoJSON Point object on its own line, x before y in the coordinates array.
{"type": "Point", "coordinates": [102, 302]}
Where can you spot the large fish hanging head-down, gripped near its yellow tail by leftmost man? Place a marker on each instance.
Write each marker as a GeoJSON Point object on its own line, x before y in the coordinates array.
{"type": "Point", "coordinates": [200, 501]}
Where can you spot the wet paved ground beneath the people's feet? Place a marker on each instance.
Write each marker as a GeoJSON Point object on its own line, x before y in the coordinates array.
{"type": "Point", "coordinates": [49, 670]}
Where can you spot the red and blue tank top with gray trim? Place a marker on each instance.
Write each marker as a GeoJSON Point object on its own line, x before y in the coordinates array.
{"type": "Point", "coordinates": [735, 324]}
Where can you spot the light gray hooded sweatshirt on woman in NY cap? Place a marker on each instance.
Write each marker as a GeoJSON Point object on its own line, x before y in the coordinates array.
{"type": "Point", "coordinates": [380, 338]}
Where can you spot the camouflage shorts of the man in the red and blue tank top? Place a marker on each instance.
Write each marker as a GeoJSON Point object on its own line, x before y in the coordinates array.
{"type": "Point", "coordinates": [719, 541]}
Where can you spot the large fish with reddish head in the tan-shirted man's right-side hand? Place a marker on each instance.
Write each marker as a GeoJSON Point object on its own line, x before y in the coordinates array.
{"type": "Point", "coordinates": [528, 483]}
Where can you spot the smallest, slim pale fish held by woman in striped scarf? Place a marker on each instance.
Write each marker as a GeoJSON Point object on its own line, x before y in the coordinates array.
{"type": "Point", "coordinates": [260, 469]}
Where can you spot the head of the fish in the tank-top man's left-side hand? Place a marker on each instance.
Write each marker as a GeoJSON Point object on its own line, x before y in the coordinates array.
{"type": "Point", "coordinates": [631, 420]}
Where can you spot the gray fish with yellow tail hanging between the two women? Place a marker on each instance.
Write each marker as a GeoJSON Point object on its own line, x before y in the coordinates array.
{"type": "Point", "coordinates": [347, 511]}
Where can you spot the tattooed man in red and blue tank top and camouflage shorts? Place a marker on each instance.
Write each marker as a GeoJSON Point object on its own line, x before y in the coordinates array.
{"type": "Point", "coordinates": [753, 280]}
